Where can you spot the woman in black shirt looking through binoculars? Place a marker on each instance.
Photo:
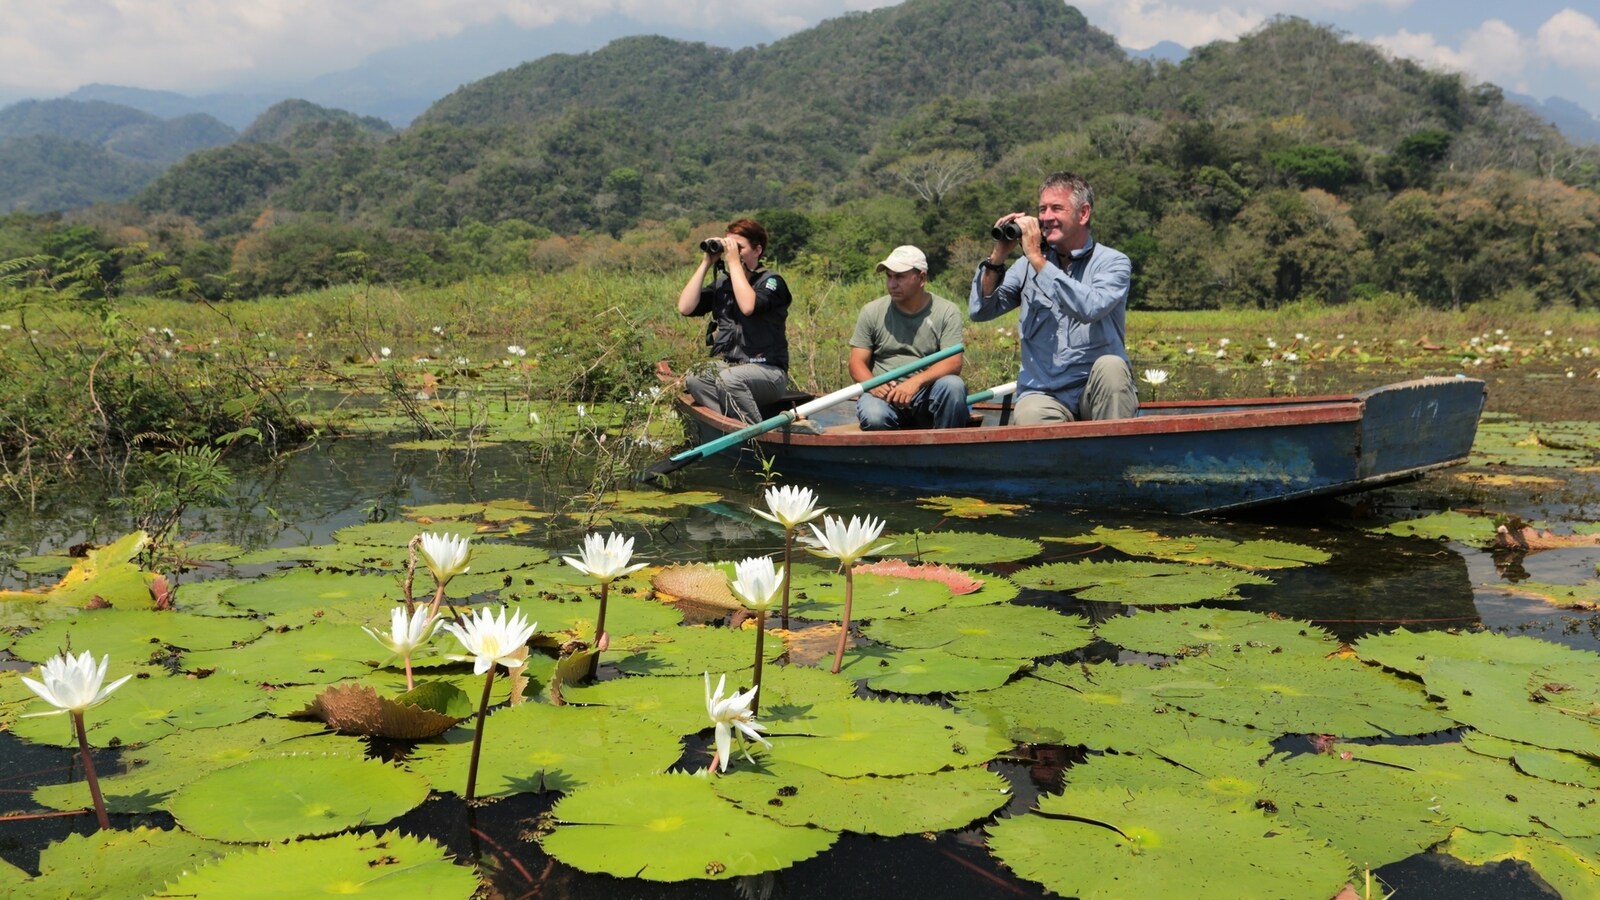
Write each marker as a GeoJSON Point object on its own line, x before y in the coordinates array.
{"type": "Point", "coordinates": [748, 307]}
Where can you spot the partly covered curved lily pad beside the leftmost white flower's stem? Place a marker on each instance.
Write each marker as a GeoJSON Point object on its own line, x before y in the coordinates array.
{"type": "Point", "coordinates": [164, 766]}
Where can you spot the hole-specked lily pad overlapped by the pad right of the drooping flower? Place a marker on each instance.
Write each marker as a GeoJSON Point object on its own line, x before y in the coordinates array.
{"type": "Point", "coordinates": [910, 805]}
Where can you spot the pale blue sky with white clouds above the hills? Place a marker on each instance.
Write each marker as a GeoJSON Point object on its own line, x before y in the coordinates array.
{"type": "Point", "coordinates": [1535, 47]}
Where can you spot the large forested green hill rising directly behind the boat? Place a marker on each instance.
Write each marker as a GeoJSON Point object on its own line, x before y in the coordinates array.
{"type": "Point", "coordinates": [1289, 164]}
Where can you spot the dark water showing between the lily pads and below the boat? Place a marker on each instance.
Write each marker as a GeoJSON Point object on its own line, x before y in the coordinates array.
{"type": "Point", "coordinates": [1372, 584]}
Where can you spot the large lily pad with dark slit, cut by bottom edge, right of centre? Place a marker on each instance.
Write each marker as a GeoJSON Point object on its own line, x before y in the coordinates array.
{"type": "Point", "coordinates": [1143, 843]}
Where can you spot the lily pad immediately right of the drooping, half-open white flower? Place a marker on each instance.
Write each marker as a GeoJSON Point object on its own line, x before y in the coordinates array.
{"type": "Point", "coordinates": [860, 737]}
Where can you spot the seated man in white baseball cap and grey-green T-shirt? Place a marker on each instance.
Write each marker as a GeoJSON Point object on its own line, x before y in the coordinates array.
{"type": "Point", "coordinates": [903, 327]}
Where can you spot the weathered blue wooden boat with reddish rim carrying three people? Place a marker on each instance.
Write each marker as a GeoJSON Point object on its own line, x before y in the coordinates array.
{"type": "Point", "coordinates": [1175, 457]}
